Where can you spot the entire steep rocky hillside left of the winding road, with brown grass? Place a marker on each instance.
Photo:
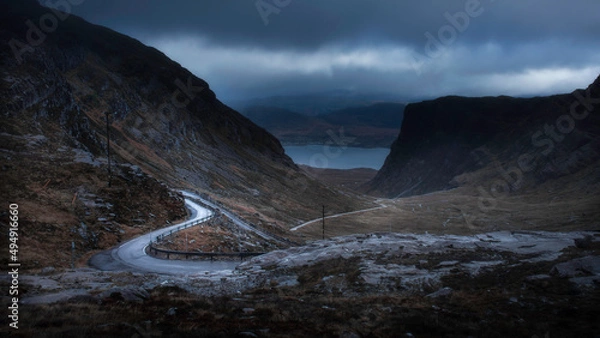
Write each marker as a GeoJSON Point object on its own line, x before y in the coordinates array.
{"type": "Point", "coordinates": [57, 90]}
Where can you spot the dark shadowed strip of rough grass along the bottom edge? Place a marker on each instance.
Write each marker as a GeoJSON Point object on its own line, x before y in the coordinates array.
{"type": "Point", "coordinates": [478, 311]}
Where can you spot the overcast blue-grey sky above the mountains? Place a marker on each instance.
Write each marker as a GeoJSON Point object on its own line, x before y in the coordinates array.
{"type": "Point", "coordinates": [413, 48]}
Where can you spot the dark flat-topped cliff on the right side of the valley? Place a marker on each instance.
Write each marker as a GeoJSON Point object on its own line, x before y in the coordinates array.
{"type": "Point", "coordinates": [524, 142]}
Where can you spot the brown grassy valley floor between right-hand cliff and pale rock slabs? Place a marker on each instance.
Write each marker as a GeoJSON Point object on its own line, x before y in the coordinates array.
{"type": "Point", "coordinates": [458, 212]}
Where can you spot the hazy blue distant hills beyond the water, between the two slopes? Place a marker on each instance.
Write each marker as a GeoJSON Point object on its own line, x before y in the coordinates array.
{"type": "Point", "coordinates": [375, 125]}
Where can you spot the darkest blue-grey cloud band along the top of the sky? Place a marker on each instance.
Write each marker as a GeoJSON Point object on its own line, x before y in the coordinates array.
{"type": "Point", "coordinates": [310, 24]}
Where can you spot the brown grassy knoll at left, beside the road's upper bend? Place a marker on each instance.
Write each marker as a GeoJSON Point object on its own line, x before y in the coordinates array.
{"type": "Point", "coordinates": [63, 202]}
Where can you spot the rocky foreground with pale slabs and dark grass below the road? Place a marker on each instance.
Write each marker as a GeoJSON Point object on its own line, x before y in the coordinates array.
{"type": "Point", "coordinates": [526, 284]}
